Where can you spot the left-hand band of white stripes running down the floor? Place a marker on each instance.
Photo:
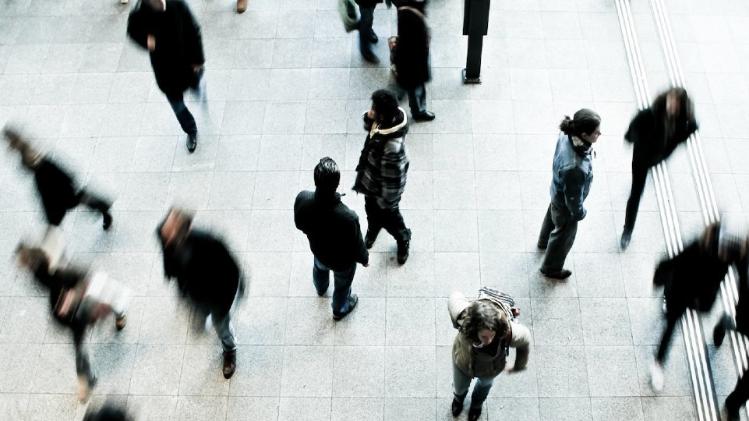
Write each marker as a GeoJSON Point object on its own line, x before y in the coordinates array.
{"type": "Point", "coordinates": [669, 217]}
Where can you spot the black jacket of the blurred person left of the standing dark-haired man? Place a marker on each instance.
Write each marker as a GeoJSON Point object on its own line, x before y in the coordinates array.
{"type": "Point", "coordinates": [206, 271]}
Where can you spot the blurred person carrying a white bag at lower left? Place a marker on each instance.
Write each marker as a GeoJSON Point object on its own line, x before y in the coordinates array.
{"type": "Point", "coordinates": [66, 286]}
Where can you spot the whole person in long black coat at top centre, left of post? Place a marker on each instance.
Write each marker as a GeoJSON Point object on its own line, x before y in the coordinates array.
{"type": "Point", "coordinates": [410, 56]}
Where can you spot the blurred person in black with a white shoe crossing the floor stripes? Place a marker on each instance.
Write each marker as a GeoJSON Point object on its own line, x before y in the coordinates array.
{"type": "Point", "coordinates": [691, 280]}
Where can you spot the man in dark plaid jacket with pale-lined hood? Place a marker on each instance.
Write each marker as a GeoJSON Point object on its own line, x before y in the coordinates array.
{"type": "Point", "coordinates": [381, 172]}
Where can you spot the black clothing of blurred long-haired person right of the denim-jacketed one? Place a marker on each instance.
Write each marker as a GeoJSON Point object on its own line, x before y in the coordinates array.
{"type": "Point", "coordinates": [654, 140]}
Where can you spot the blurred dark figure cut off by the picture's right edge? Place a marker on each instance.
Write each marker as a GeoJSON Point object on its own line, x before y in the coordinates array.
{"type": "Point", "coordinates": [740, 250]}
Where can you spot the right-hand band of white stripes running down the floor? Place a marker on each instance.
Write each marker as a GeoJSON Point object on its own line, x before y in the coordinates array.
{"type": "Point", "coordinates": [709, 206]}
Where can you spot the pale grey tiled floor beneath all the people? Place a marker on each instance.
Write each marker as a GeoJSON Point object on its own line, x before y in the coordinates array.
{"type": "Point", "coordinates": [286, 87]}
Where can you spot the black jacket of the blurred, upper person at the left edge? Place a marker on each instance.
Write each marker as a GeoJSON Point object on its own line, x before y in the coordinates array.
{"type": "Point", "coordinates": [57, 190]}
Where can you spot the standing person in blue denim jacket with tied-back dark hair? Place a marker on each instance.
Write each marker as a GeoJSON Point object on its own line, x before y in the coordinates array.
{"type": "Point", "coordinates": [572, 176]}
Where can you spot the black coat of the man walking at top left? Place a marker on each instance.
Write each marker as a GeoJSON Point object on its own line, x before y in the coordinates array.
{"type": "Point", "coordinates": [179, 45]}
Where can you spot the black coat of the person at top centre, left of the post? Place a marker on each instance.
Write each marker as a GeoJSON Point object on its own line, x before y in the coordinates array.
{"type": "Point", "coordinates": [411, 55]}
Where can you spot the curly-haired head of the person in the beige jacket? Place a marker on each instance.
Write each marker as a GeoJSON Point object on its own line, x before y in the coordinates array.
{"type": "Point", "coordinates": [483, 323]}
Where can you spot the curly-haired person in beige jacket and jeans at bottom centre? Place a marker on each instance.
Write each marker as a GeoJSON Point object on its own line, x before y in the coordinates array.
{"type": "Point", "coordinates": [487, 329]}
